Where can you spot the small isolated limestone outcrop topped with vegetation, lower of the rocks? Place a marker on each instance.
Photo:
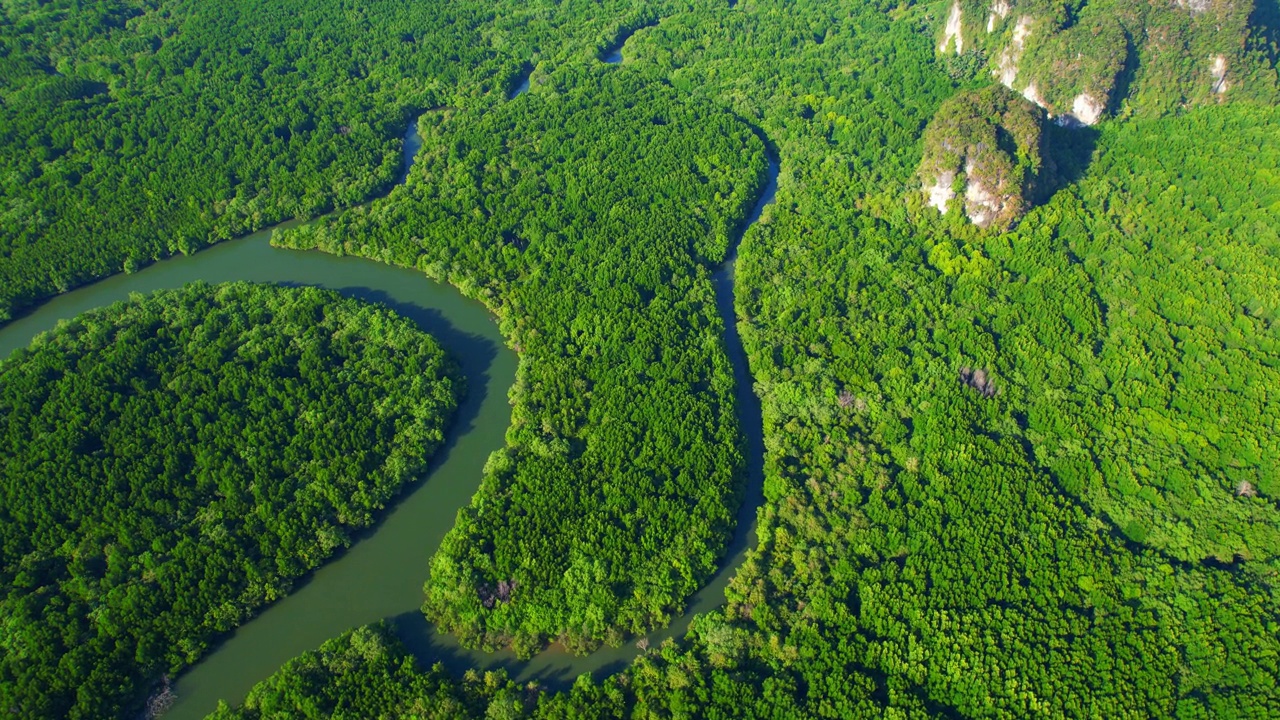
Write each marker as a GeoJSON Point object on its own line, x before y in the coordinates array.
{"type": "Point", "coordinates": [988, 144]}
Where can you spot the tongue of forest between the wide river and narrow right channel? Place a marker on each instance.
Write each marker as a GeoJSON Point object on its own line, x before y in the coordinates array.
{"type": "Point", "coordinates": [587, 215]}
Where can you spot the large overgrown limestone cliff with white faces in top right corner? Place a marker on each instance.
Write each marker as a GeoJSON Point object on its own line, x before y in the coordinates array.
{"type": "Point", "coordinates": [1082, 60]}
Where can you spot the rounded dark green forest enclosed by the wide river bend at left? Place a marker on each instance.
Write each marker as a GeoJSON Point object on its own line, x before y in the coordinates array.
{"type": "Point", "coordinates": [171, 464]}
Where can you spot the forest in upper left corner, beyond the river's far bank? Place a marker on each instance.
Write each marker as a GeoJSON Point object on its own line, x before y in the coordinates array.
{"type": "Point", "coordinates": [135, 130]}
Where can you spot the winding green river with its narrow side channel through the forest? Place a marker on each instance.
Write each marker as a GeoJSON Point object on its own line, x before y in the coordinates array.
{"type": "Point", "coordinates": [381, 577]}
